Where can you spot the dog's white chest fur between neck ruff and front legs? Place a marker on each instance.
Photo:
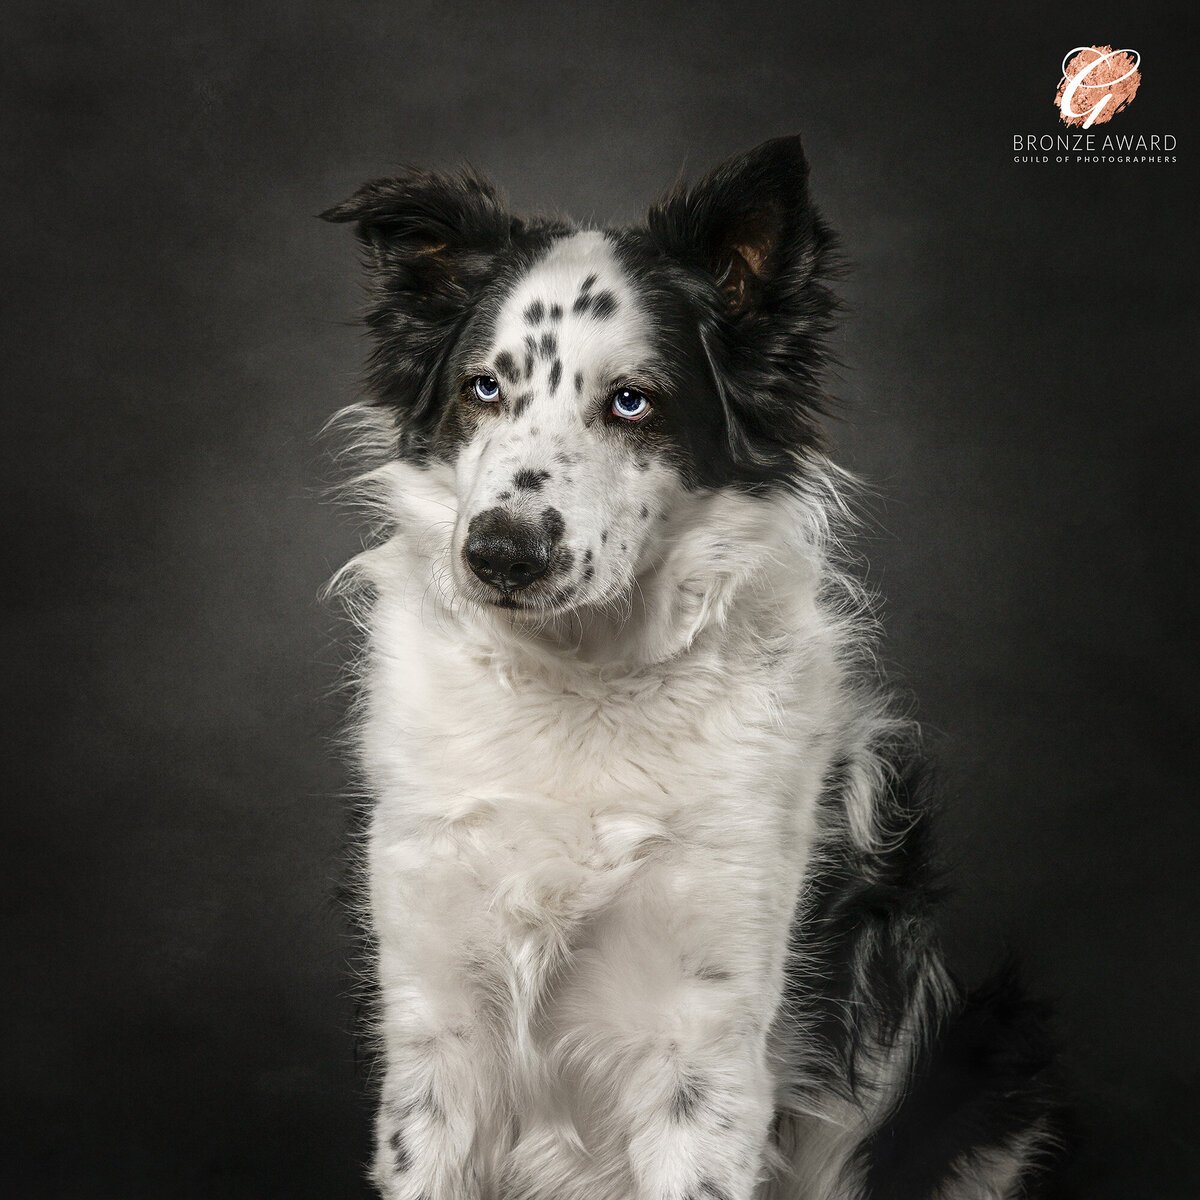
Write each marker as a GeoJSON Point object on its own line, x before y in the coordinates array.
{"type": "Point", "coordinates": [541, 788]}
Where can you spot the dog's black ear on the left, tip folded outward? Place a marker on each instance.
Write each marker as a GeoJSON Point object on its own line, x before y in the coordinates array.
{"type": "Point", "coordinates": [431, 243]}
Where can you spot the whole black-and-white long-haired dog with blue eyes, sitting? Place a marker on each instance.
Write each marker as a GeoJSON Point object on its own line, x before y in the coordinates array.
{"type": "Point", "coordinates": [647, 879]}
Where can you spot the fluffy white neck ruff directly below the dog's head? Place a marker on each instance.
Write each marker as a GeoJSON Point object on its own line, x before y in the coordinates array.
{"type": "Point", "coordinates": [770, 555]}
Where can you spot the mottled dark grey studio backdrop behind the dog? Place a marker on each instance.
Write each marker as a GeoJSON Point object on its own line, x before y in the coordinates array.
{"type": "Point", "coordinates": [1019, 385]}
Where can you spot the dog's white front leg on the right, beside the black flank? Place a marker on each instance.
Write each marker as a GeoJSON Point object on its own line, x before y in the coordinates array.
{"type": "Point", "coordinates": [668, 1025]}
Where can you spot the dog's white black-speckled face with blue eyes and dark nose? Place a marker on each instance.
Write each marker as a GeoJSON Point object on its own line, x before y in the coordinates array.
{"type": "Point", "coordinates": [562, 466]}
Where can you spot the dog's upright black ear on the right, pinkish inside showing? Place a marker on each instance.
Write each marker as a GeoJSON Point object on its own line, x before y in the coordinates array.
{"type": "Point", "coordinates": [759, 261]}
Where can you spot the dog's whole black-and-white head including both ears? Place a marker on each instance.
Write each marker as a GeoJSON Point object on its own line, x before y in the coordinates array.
{"type": "Point", "coordinates": [587, 388]}
